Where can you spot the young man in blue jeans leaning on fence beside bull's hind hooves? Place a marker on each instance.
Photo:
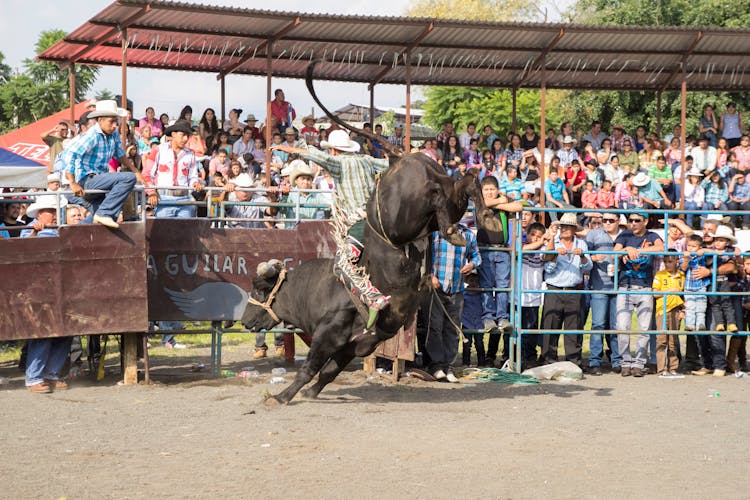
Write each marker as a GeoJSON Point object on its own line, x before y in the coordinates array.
{"type": "Point", "coordinates": [495, 269]}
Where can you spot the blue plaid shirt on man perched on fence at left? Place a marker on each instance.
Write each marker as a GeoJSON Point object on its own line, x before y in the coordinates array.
{"type": "Point", "coordinates": [90, 152]}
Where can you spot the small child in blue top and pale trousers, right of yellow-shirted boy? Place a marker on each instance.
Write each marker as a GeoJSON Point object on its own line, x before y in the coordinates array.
{"type": "Point", "coordinates": [695, 305]}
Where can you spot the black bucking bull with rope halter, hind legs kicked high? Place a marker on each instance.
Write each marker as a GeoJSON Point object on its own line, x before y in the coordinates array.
{"type": "Point", "coordinates": [414, 197]}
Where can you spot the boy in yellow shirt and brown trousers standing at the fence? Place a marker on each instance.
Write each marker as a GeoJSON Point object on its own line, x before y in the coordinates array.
{"type": "Point", "coordinates": [669, 279]}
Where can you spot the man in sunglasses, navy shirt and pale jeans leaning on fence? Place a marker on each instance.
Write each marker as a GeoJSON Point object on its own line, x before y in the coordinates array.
{"type": "Point", "coordinates": [636, 275]}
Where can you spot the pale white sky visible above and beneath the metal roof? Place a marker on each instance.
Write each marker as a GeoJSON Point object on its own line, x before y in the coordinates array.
{"type": "Point", "coordinates": [169, 91]}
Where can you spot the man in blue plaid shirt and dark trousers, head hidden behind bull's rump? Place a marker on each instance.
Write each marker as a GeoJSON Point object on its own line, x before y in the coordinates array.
{"type": "Point", "coordinates": [450, 265]}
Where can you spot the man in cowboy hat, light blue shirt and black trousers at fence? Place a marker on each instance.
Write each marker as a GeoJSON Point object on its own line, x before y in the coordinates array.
{"type": "Point", "coordinates": [564, 271]}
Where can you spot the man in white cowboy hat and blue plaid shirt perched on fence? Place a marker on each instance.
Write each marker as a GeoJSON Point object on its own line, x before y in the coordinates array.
{"type": "Point", "coordinates": [86, 166]}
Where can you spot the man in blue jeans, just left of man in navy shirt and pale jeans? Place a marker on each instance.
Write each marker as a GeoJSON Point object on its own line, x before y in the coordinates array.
{"type": "Point", "coordinates": [603, 305]}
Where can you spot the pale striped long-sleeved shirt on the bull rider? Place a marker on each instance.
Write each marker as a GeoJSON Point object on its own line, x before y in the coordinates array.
{"type": "Point", "coordinates": [354, 175]}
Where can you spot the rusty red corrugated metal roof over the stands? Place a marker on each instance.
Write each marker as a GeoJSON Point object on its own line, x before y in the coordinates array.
{"type": "Point", "coordinates": [224, 40]}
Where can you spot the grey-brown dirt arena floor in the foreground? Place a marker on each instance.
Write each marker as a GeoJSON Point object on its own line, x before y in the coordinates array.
{"type": "Point", "coordinates": [190, 436]}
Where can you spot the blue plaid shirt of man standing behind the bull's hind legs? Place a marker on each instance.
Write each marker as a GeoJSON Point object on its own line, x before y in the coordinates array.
{"type": "Point", "coordinates": [447, 259]}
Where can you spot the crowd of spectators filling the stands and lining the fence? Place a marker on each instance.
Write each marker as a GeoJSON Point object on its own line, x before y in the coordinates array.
{"type": "Point", "coordinates": [597, 171]}
